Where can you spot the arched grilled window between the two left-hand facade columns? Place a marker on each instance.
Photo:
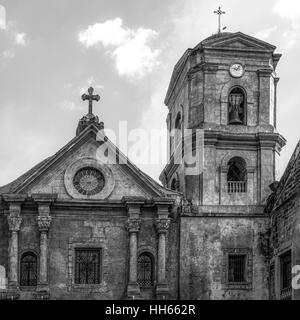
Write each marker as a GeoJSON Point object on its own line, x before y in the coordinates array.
{"type": "Point", "coordinates": [28, 270]}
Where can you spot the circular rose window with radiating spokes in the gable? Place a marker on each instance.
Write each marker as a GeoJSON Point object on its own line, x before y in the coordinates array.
{"type": "Point", "coordinates": [88, 181]}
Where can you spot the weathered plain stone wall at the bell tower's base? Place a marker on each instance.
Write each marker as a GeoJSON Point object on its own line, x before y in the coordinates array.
{"type": "Point", "coordinates": [203, 240]}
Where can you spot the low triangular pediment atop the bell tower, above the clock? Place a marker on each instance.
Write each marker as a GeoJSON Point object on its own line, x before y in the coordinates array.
{"type": "Point", "coordinates": [236, 41]}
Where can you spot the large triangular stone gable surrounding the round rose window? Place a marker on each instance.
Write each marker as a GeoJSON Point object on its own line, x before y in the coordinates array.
{"type": "Point", "coordinates": [56, 174]}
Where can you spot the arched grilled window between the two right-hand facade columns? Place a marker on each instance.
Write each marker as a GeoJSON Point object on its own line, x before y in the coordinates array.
{"type": "Point", "coordinates": [145, 270]}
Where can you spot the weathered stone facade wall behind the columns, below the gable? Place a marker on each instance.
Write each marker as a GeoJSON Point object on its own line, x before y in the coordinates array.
{"type": "Point", "coordinates": [92, 228]}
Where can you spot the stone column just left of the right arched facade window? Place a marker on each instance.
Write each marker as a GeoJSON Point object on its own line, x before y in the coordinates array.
{"type": "Point", "coordinates": [133, 226]}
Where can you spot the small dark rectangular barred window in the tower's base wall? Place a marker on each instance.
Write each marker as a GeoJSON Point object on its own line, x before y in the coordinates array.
{"type": "Point", "coordinates": [236, 268]}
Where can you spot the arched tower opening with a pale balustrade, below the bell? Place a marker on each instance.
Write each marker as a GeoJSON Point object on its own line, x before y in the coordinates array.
{"type": "Point", "coordinates": [237, 175]}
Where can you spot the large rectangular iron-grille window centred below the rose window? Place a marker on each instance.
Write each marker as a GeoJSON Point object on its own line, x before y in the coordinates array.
{"type": "Point", "coordinates": [87, 266]}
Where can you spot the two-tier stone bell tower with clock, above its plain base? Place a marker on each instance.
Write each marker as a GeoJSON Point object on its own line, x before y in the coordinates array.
{"type": "Point", "coordinates": [226, 87]}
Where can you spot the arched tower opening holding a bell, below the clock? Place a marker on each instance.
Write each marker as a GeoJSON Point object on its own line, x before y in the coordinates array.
{"type": "Point", "coordinates": [237, 106]}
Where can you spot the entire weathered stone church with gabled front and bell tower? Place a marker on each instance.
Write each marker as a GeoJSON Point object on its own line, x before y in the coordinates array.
{"type": "Point", "coordinates": [77, 226]}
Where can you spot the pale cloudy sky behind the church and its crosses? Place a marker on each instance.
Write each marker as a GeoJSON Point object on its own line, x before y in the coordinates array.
{"type": "Point", "coordinates": [50, 50]}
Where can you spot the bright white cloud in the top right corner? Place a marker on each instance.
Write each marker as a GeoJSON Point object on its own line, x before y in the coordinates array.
{"type": "Point", "coordinates": [289, 9]}
